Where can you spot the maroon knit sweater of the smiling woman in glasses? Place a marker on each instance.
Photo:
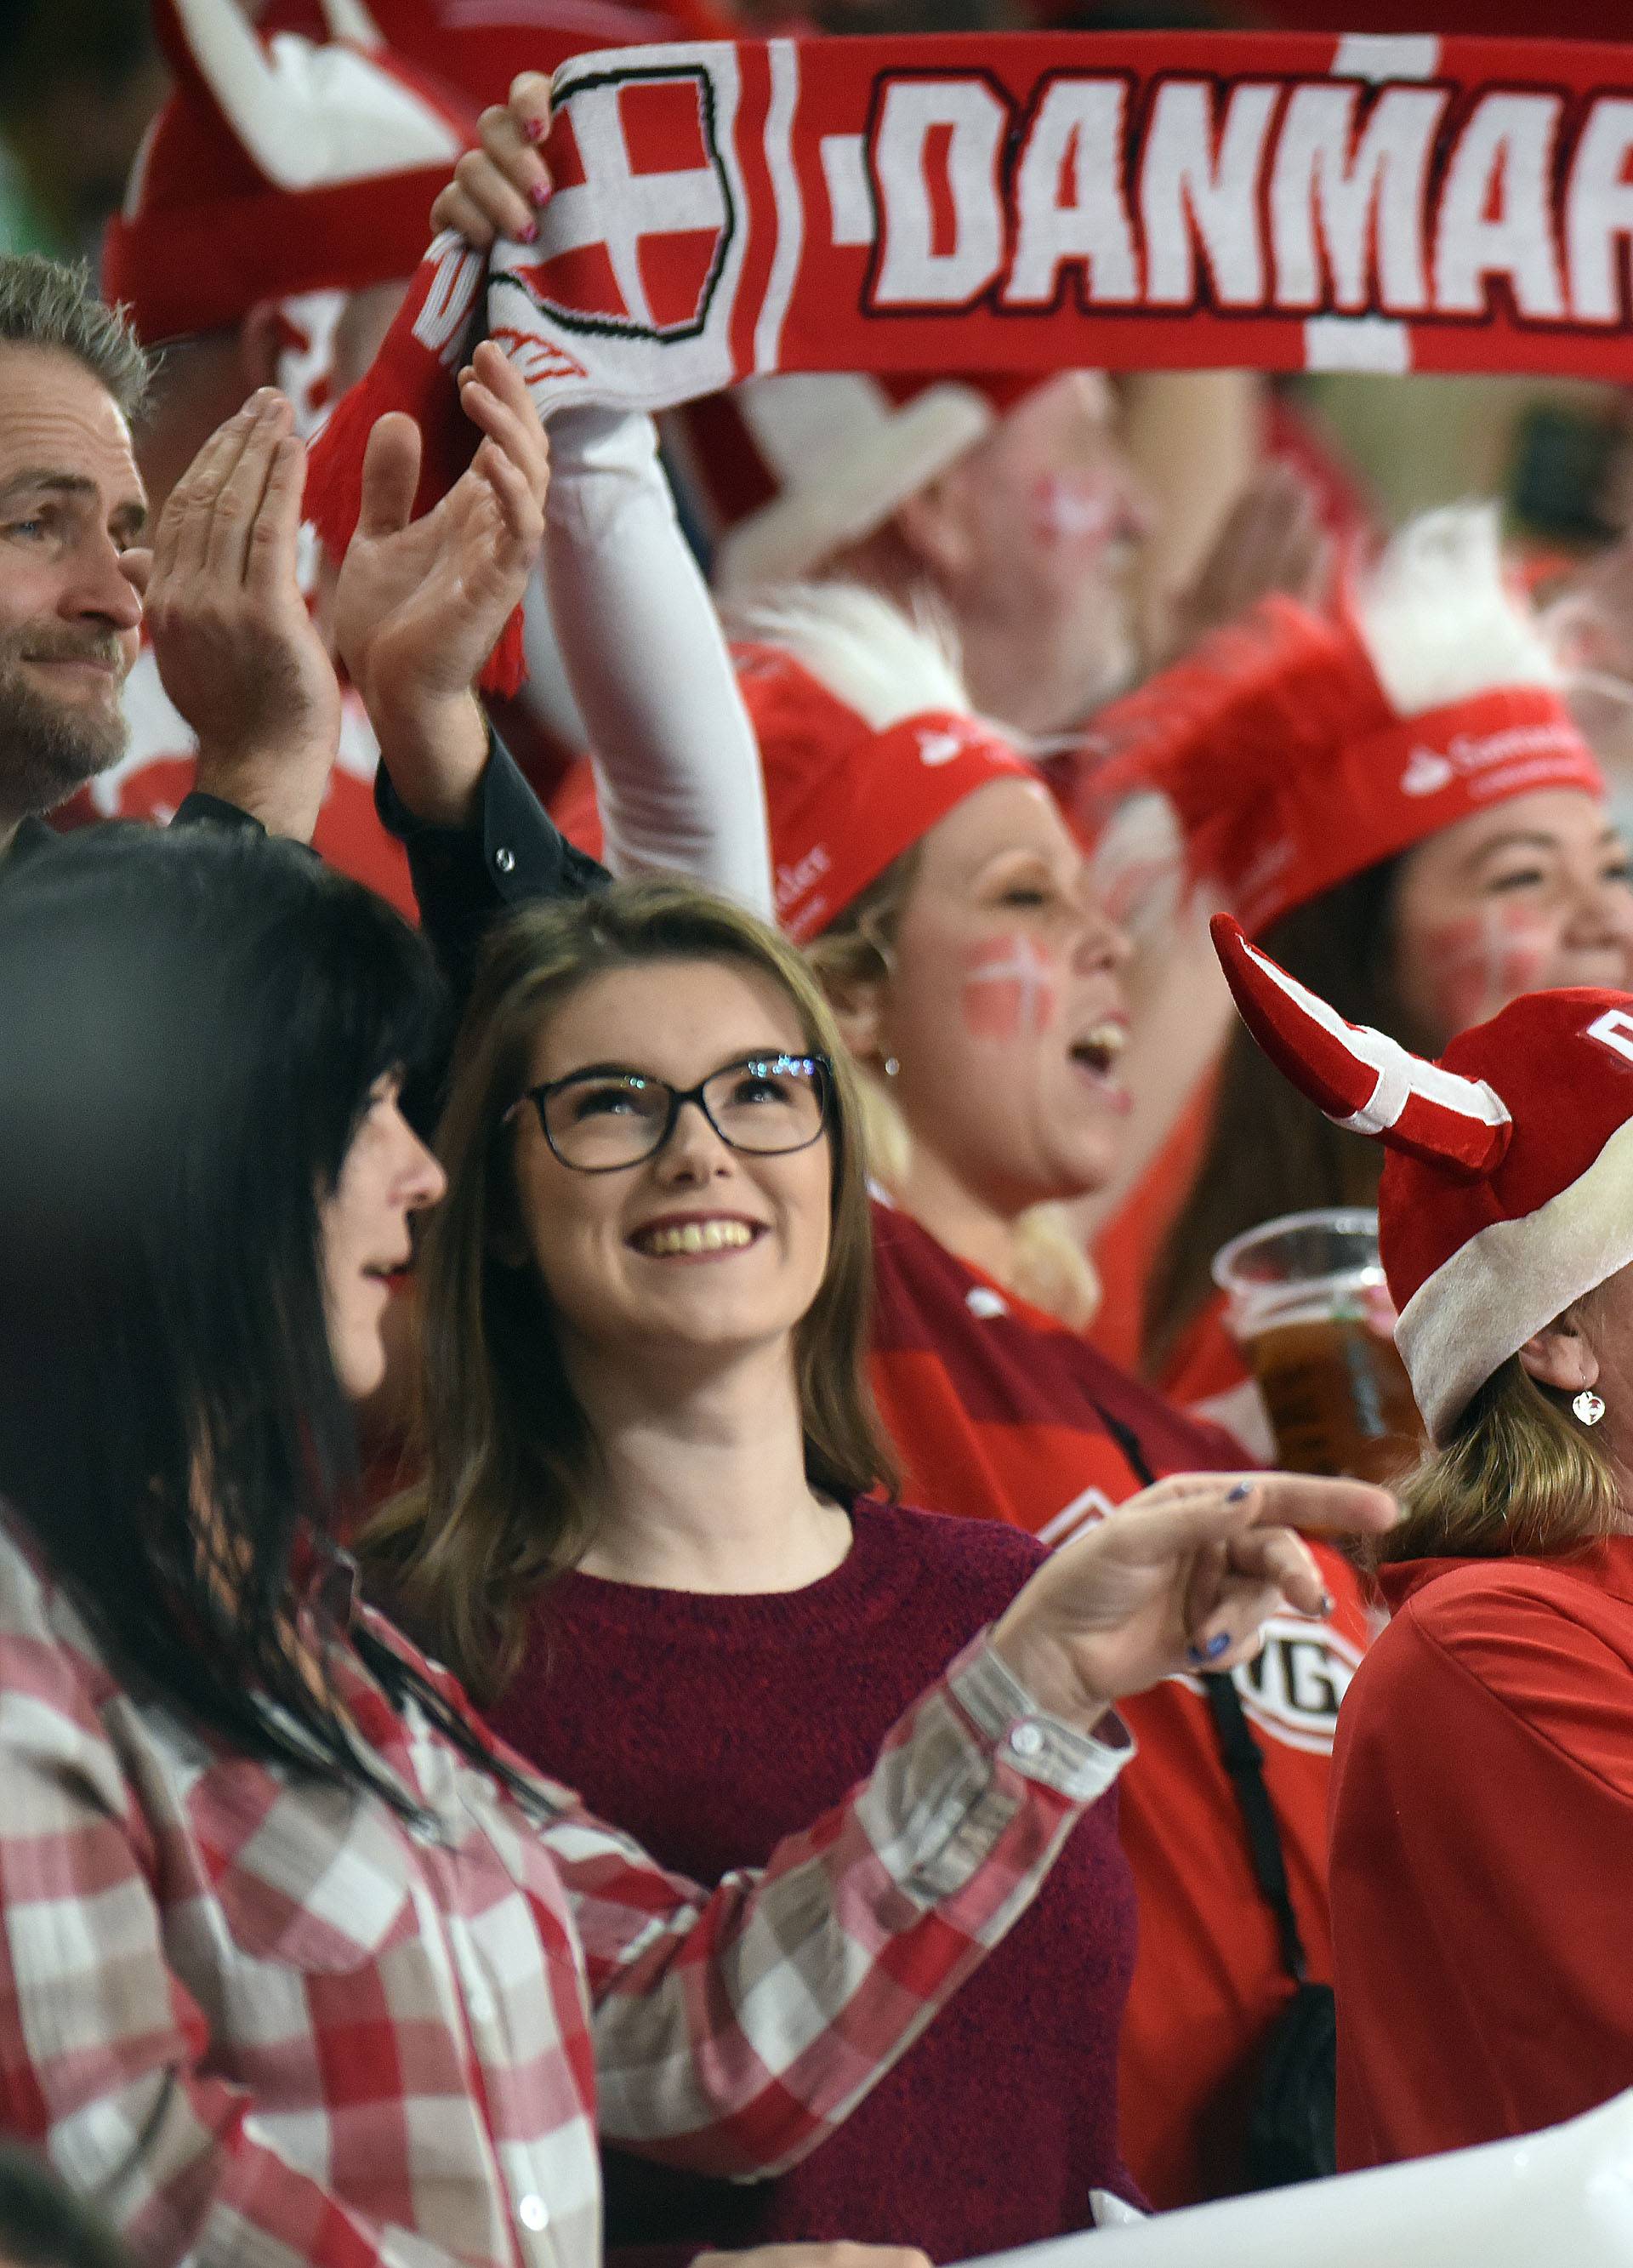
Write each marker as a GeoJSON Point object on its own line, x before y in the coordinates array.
{"type": "Point", "coordinates": [711, 1727]}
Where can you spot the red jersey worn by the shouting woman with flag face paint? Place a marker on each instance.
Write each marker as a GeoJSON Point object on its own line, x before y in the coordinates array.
{"type": "Point", "coordinates": [1001, 1412]}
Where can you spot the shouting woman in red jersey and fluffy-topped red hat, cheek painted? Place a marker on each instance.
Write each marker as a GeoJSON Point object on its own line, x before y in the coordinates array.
{"type": "Point", "coordinates": [979, 985]}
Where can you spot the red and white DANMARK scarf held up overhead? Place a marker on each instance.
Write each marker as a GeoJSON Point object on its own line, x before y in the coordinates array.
{"type": "Point", "coordinates": [1042, 201]}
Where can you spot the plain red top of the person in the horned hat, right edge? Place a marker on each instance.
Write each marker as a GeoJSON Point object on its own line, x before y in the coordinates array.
{"type": "Point", "coordinates": [1482, 1856]}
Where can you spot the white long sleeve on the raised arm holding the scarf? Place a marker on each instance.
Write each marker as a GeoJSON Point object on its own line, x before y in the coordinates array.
{"type": "Point", "coordinates": [675, 754]}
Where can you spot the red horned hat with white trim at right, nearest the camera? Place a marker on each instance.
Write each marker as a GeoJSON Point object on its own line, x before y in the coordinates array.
{"type": "Point", "coordinates": [1498, 1203]}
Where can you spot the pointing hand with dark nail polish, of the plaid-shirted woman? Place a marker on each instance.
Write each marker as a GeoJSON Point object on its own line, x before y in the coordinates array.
{"type": "Point", "coordinates": [1178, 1577]}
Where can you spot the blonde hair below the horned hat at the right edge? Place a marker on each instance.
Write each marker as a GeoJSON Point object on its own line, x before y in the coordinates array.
{"type": "Point", "coordinates": [1516, 1480]}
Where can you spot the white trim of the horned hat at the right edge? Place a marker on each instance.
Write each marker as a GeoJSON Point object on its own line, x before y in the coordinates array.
{"type": "Point", "coordinates": [1512, 1280]}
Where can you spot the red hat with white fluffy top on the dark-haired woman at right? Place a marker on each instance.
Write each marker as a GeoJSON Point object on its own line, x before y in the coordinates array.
{"type": "Point", "coordinates": [1289, 752]}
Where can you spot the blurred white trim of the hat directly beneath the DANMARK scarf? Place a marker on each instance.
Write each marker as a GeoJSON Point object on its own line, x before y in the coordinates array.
{"type": "Point", "coordinates": [845, 457]}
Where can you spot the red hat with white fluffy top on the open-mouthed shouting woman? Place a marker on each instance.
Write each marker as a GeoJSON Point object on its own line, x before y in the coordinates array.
{"type": "Point", "coordinates": [865, 738]}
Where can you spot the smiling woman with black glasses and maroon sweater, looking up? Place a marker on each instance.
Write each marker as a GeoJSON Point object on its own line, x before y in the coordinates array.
{"type": "Point", "coordinates": [654, 1534]}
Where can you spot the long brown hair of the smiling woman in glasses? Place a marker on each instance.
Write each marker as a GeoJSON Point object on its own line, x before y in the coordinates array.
{"type": "Point", "coordinates": [509, 1455]}
